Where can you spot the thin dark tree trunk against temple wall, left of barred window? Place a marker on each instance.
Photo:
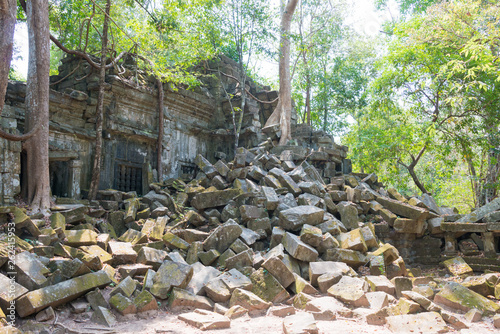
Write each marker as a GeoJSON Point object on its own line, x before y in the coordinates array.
{"type": "Point", "coordinates": [96, 170]}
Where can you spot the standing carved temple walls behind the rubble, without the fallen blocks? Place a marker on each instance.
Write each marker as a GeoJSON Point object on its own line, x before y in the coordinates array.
{"type": "Point", "coordinates": [195, 122]}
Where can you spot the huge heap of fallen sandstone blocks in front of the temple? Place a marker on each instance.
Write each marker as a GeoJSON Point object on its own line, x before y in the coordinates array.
{"type": "Point", "coordinates": [258, 234]}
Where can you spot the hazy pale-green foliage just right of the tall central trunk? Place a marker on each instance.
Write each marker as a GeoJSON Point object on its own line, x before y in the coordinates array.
{"type": "Point", "coordinates": [333, 64]}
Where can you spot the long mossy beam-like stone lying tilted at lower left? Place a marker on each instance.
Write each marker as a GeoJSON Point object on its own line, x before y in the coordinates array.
{"type": "Point", "coordinates": [60, 293]}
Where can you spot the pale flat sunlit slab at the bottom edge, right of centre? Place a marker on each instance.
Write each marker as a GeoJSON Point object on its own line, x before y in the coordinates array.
{"type": "Point", "coordinates": [428, 322]}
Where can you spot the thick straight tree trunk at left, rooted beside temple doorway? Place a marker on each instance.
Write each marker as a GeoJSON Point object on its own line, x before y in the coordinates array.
{"type": "Point", "coordinates": [37, 105]}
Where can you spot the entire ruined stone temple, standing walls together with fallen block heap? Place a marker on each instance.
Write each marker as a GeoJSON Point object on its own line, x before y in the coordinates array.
{"type": "Point", "coordinates": [266, 229]}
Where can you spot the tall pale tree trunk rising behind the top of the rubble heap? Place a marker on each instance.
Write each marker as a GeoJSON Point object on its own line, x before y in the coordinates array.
{"type": "Point", "coordinates": [283, 113]}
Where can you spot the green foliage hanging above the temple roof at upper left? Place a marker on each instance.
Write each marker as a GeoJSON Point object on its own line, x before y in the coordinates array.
{"type": "Point", "coordinates": [169, 35]}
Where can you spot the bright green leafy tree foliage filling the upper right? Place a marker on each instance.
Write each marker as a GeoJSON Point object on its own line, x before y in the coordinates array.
{"type": "Point", "coordinates": [437, 87]}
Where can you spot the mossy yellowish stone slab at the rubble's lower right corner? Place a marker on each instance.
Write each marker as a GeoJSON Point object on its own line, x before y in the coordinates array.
{"type": "Point", "coordinates": [458, 297]}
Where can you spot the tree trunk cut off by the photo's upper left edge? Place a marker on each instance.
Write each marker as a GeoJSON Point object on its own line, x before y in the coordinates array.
{"type": "Point", "coordinates": [7, 24]}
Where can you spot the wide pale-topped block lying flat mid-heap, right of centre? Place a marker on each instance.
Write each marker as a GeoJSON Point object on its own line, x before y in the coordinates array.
{"type": "Point", "coordinates": [292, 219]}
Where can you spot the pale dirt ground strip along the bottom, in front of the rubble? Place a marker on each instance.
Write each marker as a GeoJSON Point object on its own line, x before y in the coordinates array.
{"type": "Point", "coordinates": [165, 322]}
